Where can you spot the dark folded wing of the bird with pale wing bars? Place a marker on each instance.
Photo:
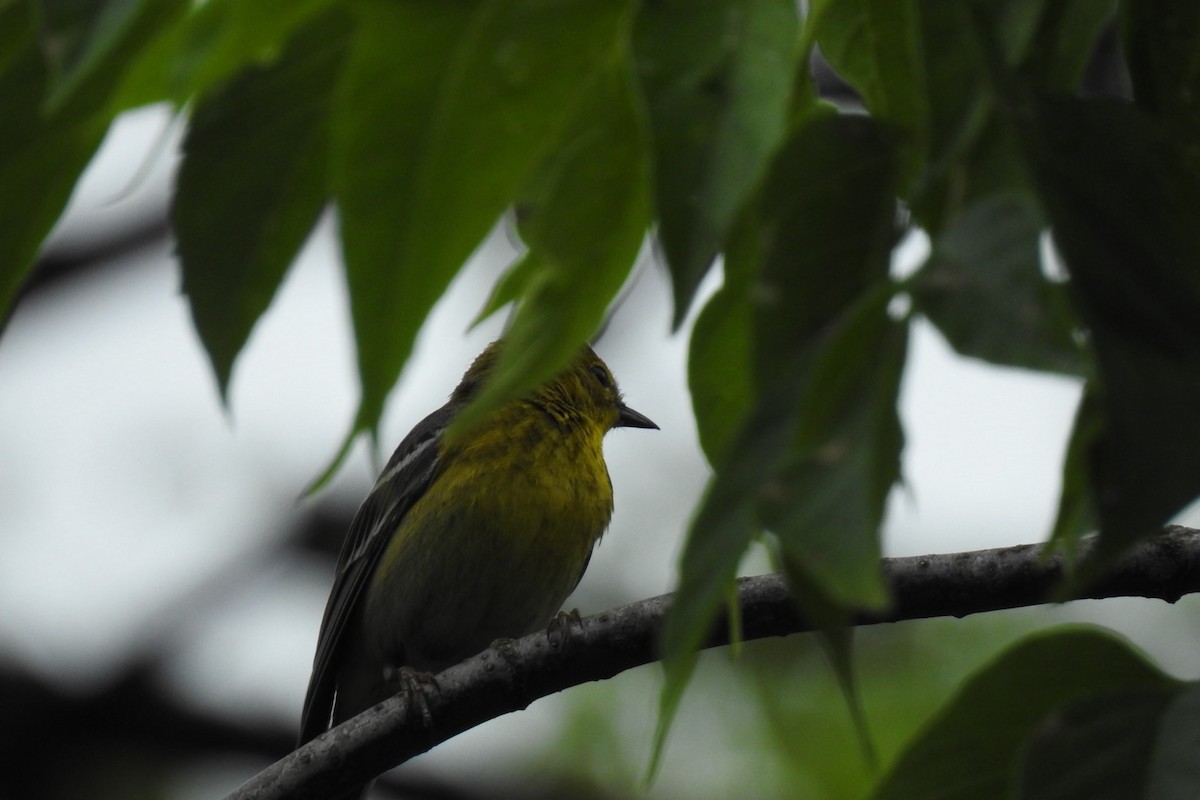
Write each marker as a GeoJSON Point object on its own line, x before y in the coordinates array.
{"type": "Point", "coordinates": [409, 474]}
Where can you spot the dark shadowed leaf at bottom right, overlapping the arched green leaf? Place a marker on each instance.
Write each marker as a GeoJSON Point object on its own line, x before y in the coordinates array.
{"type": "Point", "coordinates": [1099, 749]}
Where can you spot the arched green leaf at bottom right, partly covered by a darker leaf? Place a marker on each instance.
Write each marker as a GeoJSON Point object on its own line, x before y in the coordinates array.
{"type": "Point", "coordinates": [971, 749]}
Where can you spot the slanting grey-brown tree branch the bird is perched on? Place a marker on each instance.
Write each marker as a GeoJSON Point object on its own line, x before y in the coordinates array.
{"type": "Point", "coordinates": [511, 676]}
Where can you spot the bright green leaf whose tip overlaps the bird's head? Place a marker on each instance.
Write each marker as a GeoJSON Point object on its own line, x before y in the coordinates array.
{"type": "Point", "coordinates": [584, 218]}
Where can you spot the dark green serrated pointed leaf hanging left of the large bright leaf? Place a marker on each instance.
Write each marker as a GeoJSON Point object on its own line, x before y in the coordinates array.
{"type": "Point", "coordinates": [253, 184]}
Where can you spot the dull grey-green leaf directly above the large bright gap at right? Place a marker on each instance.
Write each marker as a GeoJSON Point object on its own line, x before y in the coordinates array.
{"type": "Point", "coordinates": [985, 290]}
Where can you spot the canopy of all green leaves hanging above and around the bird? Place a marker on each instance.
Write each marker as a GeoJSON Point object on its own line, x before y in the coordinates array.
{"type": "Point", "coordinates": [599, 121]}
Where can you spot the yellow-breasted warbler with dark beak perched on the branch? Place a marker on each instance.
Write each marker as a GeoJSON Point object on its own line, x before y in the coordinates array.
{"type": "Point", "coordinates": [467, 542]}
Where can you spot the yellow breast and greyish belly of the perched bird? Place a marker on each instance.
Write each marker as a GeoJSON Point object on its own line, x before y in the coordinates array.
{"type": "Point", "coordinates": [496, 544]}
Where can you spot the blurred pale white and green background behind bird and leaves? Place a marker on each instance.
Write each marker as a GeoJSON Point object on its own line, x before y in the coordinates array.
{"type": "Point", "coordinates": [163, 582]}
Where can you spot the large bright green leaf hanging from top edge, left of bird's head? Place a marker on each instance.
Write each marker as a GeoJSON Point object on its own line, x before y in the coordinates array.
{"type": "Point", "coordinates": [443, 112]}
